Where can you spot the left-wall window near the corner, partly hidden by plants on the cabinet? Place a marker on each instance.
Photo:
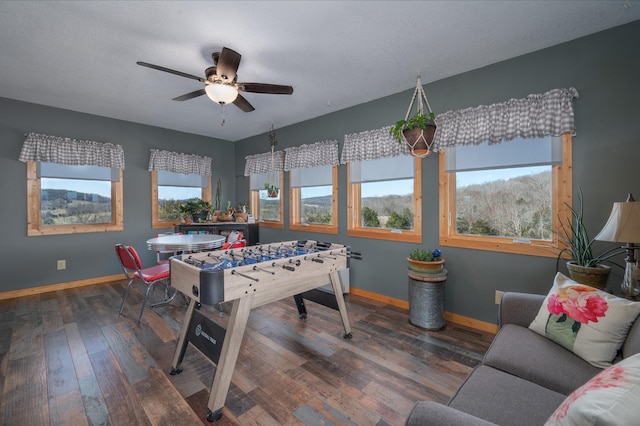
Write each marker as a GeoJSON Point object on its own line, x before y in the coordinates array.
{"type": "Point", "coordinates": [169, 190]}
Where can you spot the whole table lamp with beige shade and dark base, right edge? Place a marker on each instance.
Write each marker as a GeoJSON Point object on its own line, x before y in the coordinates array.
{"type": "Point", "coordinates": [623, 226]}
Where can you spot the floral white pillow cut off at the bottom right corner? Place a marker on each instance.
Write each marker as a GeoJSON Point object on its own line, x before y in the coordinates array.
{"type": "Point", "coordinates": [612, 397]}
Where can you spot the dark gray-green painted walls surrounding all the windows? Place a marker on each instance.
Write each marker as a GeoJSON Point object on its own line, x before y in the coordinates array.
{"type": "Point", "coordinates": [604, 68]}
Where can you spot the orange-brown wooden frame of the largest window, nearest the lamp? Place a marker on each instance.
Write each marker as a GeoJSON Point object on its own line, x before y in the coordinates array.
{"type": "Point", "coordinates": [561, 185]}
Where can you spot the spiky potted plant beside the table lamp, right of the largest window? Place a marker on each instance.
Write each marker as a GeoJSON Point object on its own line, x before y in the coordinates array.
{"type": "Point", "coordinates": [584, 267]}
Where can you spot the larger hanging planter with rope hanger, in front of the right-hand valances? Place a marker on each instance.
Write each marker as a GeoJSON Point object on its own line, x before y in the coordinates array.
{"type": "Point", "coordinates": [420, 130]}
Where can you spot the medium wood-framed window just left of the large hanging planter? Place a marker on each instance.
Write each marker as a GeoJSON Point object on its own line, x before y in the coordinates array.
{"type": "Point", "coordinates": [385, 199]}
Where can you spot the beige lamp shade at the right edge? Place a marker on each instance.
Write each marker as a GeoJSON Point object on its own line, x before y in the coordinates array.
{"type": "Point", "coordinates": [623, 225]}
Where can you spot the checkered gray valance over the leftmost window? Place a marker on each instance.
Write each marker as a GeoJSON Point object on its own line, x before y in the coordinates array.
{"type": "Point", "coordinates": [71, 152]}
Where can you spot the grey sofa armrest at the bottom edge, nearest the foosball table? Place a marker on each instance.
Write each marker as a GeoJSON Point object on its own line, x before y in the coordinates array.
{"type": "Point", "coordinates": [426, 413]}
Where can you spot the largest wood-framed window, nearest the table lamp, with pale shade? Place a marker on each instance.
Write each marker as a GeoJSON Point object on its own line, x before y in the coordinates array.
{"type": "Point", "coordinates": [509, 201]}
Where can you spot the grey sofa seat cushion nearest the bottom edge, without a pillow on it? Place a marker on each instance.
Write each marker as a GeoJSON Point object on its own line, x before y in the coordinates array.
{"type": "Point", "coordinates": [504, 399]}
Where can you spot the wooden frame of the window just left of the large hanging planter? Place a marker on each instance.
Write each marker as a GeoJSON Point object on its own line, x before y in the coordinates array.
{"type": "Point", "coordinates": [353, 212]}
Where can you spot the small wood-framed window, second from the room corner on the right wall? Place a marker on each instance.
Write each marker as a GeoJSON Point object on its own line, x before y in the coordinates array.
{"type": "Point", "coordinates": [314, 199]}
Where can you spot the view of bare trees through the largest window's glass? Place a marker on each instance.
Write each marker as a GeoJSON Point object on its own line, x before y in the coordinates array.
{"type": "Point", "coordinates": [519, 207]}
